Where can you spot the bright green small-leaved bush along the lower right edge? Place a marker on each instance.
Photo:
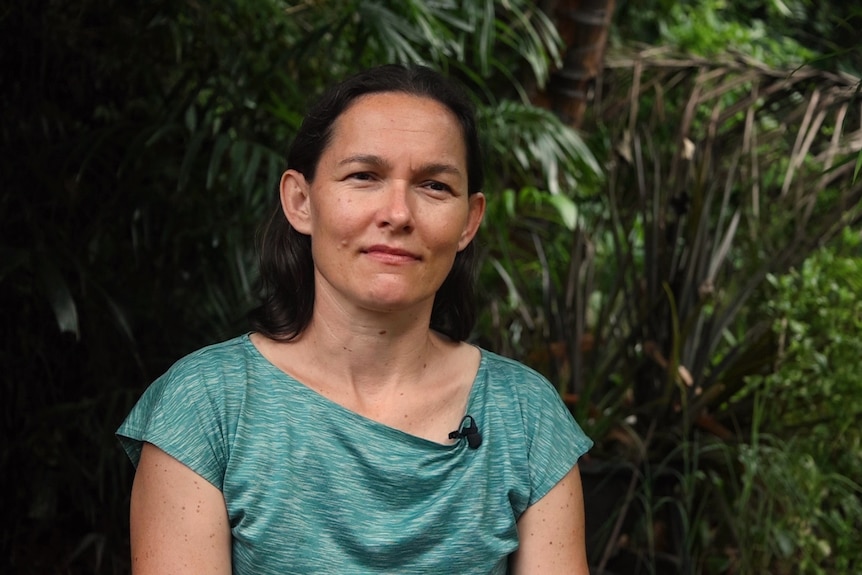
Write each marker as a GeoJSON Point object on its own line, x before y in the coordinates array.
{"type": "Point", "coordinates": [807, 485]}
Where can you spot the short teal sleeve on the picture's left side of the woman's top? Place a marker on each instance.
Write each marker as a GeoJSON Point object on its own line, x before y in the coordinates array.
{"type": "Point", "coordinates": [182, 413]}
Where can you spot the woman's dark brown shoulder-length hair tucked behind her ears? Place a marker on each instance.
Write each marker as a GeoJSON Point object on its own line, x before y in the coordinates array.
{"type": "Point", "coordinates": [286, 265]}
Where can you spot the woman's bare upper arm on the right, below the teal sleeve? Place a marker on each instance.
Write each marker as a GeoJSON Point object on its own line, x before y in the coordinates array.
{"type": "Point", "coordinates": [551, 532]}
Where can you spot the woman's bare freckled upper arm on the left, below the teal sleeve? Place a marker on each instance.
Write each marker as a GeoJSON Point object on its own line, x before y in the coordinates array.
{"type": "Point", "coordinates": [179, 520]}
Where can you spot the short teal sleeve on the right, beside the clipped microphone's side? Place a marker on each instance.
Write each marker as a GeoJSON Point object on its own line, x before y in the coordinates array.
{"type": "Point", "coordinates": [555, 441]}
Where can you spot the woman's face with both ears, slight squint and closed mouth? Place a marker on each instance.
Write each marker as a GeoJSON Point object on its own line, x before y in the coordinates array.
{"type": "Point", "coordinates": [388, 208]}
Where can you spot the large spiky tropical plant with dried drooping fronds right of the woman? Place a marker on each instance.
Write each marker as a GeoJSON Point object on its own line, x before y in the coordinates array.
{"type": "Point", "coordinates": [720, 173]}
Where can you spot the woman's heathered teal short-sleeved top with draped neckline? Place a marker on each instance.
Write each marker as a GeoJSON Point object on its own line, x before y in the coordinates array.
{"type": "Point", "coordinates": [312, 487]}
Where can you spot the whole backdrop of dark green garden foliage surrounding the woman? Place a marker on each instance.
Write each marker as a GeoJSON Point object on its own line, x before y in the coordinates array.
{"type": "Point", "coordinates": [673, 237]}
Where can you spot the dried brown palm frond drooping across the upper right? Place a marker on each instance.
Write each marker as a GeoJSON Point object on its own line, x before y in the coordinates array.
{"type": "Point", "coordinates": [806, 121]}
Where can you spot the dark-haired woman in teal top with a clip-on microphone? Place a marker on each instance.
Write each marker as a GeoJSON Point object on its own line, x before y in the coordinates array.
{"type": "Point", "coordinates": [354, 431]}
